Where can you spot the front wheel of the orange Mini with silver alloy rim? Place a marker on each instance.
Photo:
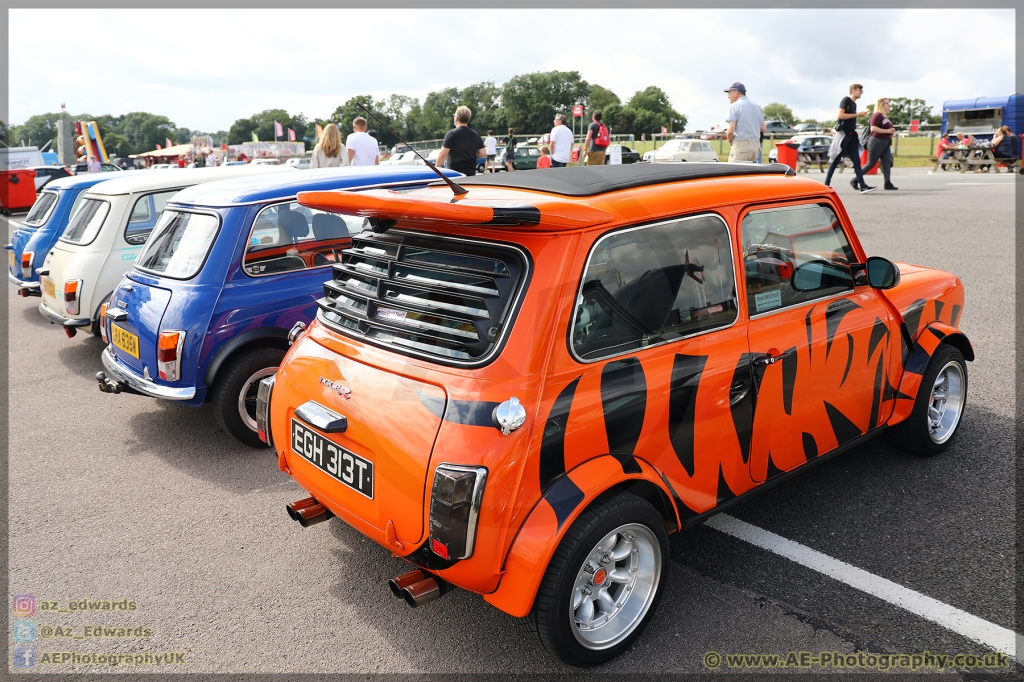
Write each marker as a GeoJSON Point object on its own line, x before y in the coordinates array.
{"type": "Point", "coordinates": [938, 410]}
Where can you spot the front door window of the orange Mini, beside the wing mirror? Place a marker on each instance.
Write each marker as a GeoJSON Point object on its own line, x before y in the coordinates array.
{"type": "Point", "coordinates": [793, 255]}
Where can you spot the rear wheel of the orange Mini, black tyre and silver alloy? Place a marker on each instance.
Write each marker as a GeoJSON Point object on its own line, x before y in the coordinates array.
{"type": "Point", "coordinates": [604, 583]}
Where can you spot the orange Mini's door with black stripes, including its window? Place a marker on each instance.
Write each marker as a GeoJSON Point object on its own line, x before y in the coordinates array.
{"type": "Point", "coordinates": [821, 346]}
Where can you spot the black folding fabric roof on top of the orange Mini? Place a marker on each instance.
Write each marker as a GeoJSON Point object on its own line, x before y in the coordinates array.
{"type": "Point", "coordinates": [590, 181]}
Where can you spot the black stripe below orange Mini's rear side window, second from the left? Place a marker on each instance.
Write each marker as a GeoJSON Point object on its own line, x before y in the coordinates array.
{"type": "Point", "coordinates": [624, 399]}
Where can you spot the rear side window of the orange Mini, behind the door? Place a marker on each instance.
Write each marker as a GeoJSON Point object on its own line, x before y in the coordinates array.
{"type": "Point", "coordinates": [654, 285]}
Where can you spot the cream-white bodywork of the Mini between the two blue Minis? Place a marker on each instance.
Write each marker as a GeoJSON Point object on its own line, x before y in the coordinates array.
{"type": "Point", "coordinates": [102, 264]}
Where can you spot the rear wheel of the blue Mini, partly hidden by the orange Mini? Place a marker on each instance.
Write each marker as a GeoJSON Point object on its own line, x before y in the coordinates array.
{"type": "Point", "coordinates": [235, 393]}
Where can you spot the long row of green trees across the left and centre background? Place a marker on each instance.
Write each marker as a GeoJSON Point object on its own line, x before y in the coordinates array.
{"type": "Point", "coordinates": [527, 103]}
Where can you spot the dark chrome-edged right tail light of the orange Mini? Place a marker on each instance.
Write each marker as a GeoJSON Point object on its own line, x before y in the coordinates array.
{"type": "Point", "coordinates": [455, 507]}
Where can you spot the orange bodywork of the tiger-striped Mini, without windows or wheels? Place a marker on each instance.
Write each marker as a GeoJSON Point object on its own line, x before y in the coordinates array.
{"type": "Point", "coordinates": [685, 438]}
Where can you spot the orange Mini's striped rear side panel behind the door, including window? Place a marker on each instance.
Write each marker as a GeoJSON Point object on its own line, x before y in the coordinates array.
{"type": "Point", "coordinates": [657, 339]}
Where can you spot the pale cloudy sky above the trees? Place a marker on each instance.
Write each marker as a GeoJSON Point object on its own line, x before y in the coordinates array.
{"type": "Point", "coordinates": [205, 69]}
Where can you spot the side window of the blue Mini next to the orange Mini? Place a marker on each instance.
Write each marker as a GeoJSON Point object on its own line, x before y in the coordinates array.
{"type": "Point", "coordinates": [289, 237]}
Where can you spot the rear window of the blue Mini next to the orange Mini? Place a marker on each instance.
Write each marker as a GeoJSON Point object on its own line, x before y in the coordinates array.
{"type": "Point", "coordinates": [180, 244]}
